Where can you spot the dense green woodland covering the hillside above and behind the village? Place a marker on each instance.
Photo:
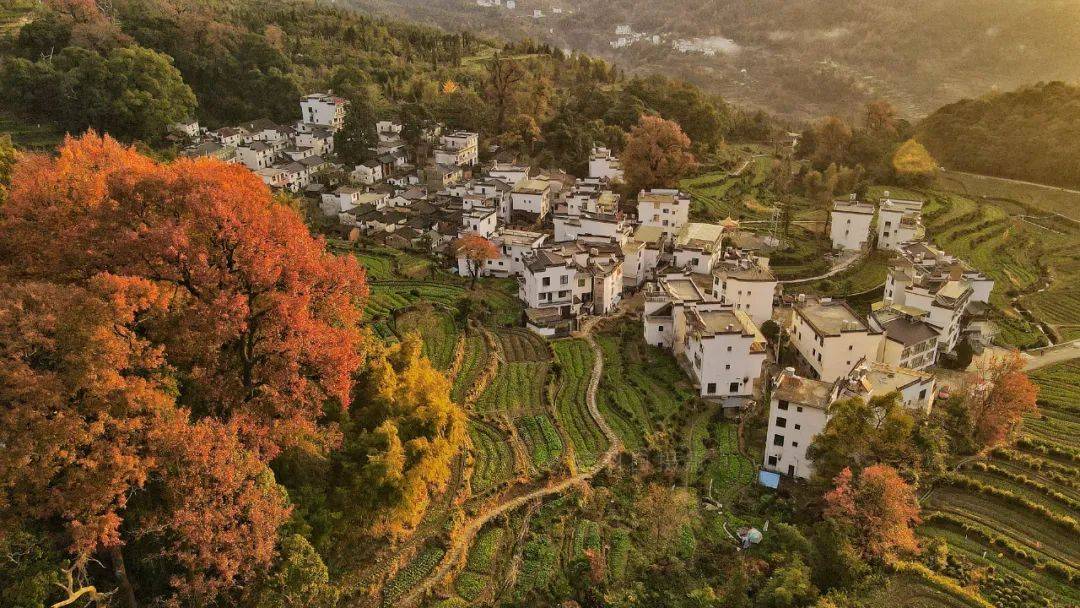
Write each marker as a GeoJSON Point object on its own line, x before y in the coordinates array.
{"type": "Point", "coordinates": [245, 61]}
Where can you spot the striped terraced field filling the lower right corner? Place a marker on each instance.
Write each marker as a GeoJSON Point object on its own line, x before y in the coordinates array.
{"type": "Point", "coordinates": [1017, 514]}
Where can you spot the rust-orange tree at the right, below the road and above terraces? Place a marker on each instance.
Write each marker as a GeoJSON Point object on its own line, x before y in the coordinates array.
{"type": "Point", "coordinates": [997, 395]}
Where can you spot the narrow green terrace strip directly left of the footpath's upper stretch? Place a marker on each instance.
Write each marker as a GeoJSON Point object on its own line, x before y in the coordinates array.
{"type": "Point", "coordinates": [576, 362]}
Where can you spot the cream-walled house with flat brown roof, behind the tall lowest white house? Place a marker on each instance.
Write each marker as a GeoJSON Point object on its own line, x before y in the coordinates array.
{"type": "Point", "coordinates": [832, 337]}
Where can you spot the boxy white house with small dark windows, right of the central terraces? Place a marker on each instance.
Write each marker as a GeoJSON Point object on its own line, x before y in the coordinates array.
{"type": "Point", "coordinates": [725, 352]}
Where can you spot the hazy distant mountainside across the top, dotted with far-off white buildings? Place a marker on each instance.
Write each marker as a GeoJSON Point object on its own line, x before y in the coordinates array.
{"type": "Point", "coordinates": [806, 59]}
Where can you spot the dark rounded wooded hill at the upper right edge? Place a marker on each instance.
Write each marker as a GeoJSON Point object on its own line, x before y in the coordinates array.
{"type": "Point", "coordinates": [1031, 134]}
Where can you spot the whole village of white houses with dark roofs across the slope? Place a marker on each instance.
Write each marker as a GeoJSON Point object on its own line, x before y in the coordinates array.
{"type": "Point", "coordinates": [577, 254]}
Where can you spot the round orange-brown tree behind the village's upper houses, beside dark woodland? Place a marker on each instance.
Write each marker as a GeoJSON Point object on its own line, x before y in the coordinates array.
{"type": "Point", "coordinates": [657, 155]}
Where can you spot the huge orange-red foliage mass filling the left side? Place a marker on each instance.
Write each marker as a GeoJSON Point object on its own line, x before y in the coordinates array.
{"type": "Point", "coordinates": [166, 330]}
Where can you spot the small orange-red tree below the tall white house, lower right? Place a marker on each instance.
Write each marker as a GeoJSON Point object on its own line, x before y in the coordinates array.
{"type": "Point", "coordinates": [879, 508]}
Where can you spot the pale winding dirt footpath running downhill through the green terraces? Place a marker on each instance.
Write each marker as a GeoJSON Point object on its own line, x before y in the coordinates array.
{"type": "Point", "coordinates": [463, 541]}
